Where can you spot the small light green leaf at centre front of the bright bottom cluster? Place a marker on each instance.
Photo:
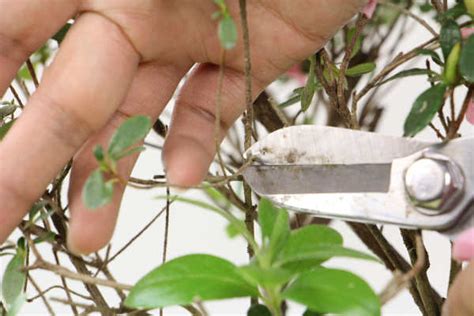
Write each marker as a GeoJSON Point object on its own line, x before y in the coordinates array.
{"type": "Point", "coordinates": [269, 277]}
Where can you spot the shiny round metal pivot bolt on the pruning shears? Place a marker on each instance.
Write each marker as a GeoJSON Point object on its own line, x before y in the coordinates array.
{"type": "Point", "coordinates": [434, 183]}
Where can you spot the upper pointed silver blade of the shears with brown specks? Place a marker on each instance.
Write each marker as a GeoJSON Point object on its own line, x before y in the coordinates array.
{"type": "Point", "coordinates": [322, 145]}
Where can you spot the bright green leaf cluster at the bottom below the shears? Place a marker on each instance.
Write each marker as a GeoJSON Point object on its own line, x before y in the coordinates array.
{"type": "Point", "coordinates": [287, 266]}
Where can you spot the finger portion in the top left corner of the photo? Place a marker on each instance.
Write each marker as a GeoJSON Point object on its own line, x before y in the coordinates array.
{"type": "Point", "coordinates": [24, 26]}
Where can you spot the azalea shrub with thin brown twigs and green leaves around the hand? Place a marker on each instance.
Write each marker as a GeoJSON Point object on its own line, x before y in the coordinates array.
{"type": "Point", "coordinates": [288, 259]}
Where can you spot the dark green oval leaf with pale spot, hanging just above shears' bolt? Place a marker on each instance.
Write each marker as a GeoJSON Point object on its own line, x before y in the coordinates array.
{"type": "Point", "coordinates": [424, 109]}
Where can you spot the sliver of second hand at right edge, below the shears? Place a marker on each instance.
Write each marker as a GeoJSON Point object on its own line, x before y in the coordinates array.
{"type": "Point", "coordinates": [460, 300]}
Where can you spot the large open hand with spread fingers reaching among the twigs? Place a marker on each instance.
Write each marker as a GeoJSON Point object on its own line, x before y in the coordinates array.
{"type": "Point", "coordinates": [123, 58]}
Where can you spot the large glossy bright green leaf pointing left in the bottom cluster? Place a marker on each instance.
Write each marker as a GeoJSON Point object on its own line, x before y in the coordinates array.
{"type": "Point", "coordinates": [186, 279]}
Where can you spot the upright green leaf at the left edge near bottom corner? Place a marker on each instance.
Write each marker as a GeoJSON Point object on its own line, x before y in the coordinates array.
{"type": "Point", "coordinates": [14, 279]}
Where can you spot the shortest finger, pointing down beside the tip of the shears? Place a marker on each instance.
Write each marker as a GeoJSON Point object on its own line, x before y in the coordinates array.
{"type": "Point", "coordinates": [190, 145]}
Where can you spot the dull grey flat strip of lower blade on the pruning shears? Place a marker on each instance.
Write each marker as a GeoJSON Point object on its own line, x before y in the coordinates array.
{"type": "Point", "coordinates": [299, 179]}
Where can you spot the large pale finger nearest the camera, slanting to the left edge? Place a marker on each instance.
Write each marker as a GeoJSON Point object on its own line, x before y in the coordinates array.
{"type": "Point", "coordinates": [85, 85]}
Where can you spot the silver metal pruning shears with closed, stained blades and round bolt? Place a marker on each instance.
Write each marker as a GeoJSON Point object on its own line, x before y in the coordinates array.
{"type": "Point", "coordinates": [367, 177]}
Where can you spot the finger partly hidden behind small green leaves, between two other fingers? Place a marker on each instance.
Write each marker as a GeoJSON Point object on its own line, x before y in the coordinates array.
{"type": "Point", "coordinates": [151, 90]}
